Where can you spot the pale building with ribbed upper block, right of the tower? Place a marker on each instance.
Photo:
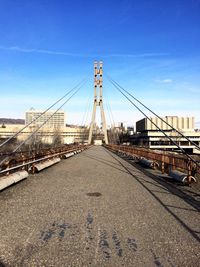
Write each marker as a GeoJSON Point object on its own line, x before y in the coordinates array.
{"type": "Point", "coordinates": [148, 135]}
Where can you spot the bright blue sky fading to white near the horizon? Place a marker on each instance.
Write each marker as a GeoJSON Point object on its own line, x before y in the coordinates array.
{"type": "Point", "coordinates": [150, 47]}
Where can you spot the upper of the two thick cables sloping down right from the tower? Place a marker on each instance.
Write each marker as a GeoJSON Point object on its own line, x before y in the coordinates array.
{"type": "Point", "coordinates": [192, 142]}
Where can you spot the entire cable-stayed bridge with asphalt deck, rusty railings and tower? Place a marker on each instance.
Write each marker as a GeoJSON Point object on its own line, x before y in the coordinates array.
{"type": "Point", "coordinates": [109, 205]}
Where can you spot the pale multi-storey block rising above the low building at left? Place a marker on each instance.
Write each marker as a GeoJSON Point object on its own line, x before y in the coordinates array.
{"type": "Point", "coordinates": [52, 120]}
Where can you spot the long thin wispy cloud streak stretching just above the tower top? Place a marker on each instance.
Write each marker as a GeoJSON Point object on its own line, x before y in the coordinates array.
{"type": "Point", "coordinates": [60, 53]}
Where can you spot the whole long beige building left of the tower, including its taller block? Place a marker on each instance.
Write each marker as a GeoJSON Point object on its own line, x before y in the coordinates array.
{"type": "Point", "coordinates": [54, 128]}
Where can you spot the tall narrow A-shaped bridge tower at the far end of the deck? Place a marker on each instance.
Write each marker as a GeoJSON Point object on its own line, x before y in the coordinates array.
{"type": "Point", "coordinates": [98, 100]}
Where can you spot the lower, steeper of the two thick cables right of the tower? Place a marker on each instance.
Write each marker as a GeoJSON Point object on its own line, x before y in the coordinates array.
{"type": "Point", "coordinates": [182, 150]}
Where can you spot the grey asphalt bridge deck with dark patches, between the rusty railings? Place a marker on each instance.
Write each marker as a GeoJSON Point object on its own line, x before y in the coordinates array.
{"type": "Point", "coordinates": [52, 219]}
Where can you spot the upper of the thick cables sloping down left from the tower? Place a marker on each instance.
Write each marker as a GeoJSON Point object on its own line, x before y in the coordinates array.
{"type": "Point", "coordinates": [13, 136]}
